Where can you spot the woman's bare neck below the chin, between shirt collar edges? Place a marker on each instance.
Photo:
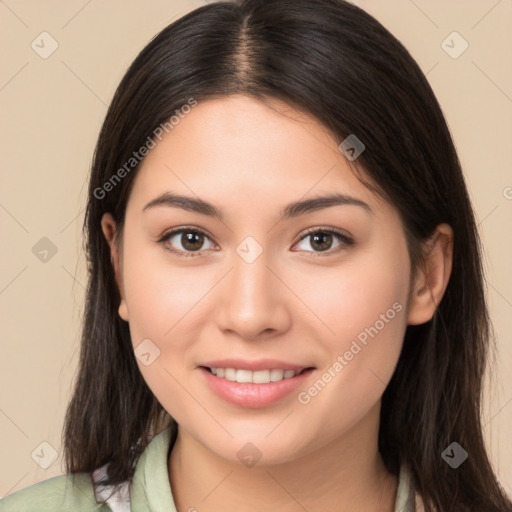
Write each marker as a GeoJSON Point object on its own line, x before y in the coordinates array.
{"type": "Point", "coordinates": [346, 474]}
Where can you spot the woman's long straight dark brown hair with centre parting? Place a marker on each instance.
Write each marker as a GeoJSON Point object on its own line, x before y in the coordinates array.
{"type": "Point", "coordinates": [334, 61]}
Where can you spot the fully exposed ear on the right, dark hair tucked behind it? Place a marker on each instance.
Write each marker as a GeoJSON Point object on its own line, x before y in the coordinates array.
{"type": "Point", "coordinates": [432, 277]}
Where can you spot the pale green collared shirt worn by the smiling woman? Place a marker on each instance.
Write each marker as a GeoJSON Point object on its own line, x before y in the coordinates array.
{"type": "Point", "coordinates": [150, 490]}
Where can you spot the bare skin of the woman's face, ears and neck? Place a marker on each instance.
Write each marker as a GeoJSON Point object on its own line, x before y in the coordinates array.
{"type": "Point", "coordinates": [250, 160]}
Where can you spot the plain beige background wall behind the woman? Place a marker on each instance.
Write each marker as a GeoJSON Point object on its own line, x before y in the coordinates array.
{"type": "Point", "coordinates": [51, 114]}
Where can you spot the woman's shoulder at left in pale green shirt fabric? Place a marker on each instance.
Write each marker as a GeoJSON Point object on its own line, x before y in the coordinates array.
{"type": "Point", "coordinates": [58, 494]}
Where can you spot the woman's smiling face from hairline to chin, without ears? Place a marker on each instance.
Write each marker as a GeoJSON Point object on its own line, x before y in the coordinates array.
{"type": "Point", "coordinates": [255, 280]}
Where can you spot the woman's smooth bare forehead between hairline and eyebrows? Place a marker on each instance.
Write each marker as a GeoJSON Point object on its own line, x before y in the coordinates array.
{"type": "Point", "coordinates": [240, 150]}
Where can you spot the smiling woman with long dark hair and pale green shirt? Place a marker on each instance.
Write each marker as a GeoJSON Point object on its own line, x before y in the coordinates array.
{"type": "Point", "coordinates": [285, 305]}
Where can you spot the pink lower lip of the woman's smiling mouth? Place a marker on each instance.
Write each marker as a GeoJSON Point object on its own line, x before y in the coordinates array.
{"type": "Point", "coordinates": [253, 395]}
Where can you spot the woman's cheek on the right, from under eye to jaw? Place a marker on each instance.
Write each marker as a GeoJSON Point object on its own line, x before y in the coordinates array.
{"type": "Point", "coordinates": [363, 304]}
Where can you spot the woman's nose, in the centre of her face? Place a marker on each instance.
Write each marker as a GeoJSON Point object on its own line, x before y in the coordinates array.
{"type": "Point", "coordinates": [253, 302]}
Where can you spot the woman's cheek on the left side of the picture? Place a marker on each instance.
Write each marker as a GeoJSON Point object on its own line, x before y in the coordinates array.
{"type": "Point", "coordinates": [163, 301]}
